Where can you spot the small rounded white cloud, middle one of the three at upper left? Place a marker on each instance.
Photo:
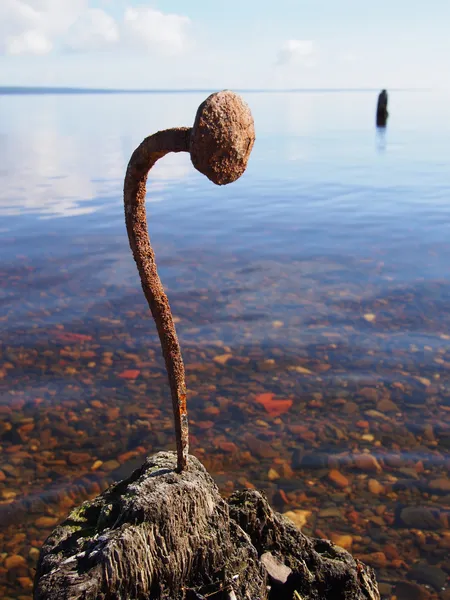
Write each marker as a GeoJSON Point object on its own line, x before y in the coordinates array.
{"type": "Point", "coordinates": [92, 30]}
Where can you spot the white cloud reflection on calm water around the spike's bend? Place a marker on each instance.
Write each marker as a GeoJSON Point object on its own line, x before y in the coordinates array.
{"type": "Point", "coordinates": [51, 172]}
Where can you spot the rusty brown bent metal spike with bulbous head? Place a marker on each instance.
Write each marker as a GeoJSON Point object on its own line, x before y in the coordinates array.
{"type": "Point", "coordinates": [220, 144]}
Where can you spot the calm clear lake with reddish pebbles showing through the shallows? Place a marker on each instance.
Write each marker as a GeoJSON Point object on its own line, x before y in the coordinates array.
{"type": "Point", "coordinates": [311, 300]}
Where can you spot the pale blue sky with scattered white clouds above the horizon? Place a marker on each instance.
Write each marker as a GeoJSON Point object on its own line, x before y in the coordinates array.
{"type": "Point", "coordinates": [225, 43]}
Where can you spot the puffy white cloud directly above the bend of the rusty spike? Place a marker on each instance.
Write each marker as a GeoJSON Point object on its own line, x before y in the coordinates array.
{"type": "Point", "coordinates": [153, 29]}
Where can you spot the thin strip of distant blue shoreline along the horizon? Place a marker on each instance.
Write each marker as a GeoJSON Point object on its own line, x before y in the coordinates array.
{"type": "Point", "coordinates": [41, 90]}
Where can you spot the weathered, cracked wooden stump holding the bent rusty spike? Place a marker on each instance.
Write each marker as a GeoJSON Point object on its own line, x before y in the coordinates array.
{"type": "Point", "coordinates": [161, 534]}
